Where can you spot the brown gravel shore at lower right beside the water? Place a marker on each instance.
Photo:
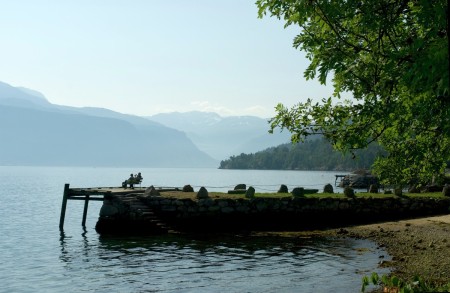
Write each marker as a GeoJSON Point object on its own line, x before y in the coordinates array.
{"type": "Point", "coordinates": [418, 247]}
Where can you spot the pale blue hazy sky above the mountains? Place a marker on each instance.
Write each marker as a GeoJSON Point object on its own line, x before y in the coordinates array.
{"type": "Point", "coordinates": [145, 57]}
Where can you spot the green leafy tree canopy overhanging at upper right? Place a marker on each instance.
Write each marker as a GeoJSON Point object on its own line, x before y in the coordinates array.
{"type": "Point", "coordinates": [392, 57]}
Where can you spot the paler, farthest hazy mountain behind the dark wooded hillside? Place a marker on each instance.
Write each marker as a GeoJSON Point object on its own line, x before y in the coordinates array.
{"type": "Point", "coordinates": [221, 137]}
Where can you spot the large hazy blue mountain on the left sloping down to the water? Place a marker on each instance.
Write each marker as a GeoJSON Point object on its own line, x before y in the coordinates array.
{"type": "Point", "coordinates": [36, 132]}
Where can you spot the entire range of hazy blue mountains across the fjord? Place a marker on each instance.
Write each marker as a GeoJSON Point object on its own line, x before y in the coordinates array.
{"type": "Point", "coordinates": [34, 131]}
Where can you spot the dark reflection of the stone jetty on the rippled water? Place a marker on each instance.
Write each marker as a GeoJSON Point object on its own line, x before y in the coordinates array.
{"type": "Point", "coordinates": [226, 243]}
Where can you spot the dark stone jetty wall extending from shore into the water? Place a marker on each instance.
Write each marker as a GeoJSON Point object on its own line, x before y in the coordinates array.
{"type": "Point", "coordinates": [160, 212]}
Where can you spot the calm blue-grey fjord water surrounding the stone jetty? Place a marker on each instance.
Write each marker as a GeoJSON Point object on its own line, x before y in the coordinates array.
{"type": "Point", "coordinates": [36, 257]}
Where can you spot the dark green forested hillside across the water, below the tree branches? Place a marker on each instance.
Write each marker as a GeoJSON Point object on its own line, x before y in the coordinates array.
{"type": "Point", "coordinates": [311, 155]}
